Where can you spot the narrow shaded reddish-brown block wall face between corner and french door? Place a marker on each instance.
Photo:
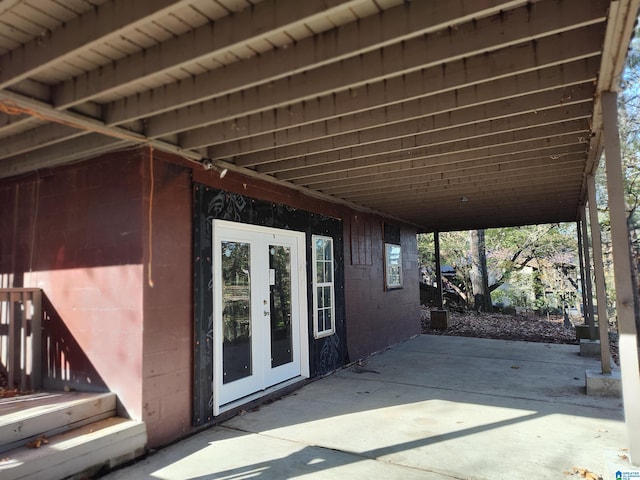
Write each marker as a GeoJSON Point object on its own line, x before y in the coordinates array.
{"type": "Point", "coordinates": [168, 301]}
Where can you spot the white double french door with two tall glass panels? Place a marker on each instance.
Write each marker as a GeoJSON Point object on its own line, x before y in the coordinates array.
{"type": "Point", "coordinates": [260, 320]}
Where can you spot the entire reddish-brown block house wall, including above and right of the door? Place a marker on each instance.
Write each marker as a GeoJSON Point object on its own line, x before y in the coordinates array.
{"type": "Point", "coordinates": [89, 233]}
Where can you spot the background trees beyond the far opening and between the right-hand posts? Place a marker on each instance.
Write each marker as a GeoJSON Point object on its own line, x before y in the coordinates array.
{"type": "Point", "coordinates": [537, 266]}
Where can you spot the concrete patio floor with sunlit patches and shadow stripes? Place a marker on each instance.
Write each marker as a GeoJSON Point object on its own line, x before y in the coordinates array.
{"type": "Point", "coordinates": [430, 408]}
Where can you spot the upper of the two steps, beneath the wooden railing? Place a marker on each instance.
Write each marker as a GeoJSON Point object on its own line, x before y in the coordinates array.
{"type": "Point", "coordinates": [22, 419]}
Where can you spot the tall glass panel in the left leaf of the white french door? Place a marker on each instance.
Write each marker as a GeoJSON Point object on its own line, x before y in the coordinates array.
{"type": "Point", "coordinates": [236, 311]}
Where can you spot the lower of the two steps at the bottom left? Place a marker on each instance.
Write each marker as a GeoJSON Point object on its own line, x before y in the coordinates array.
{"type": "Point", "coordinates": [77, 453]}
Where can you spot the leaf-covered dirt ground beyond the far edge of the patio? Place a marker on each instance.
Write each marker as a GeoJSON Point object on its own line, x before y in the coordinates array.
{"type": "Point", "coordinates": [521, 327]}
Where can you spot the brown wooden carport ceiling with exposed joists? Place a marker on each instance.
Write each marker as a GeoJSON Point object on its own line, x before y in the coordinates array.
{"type": "Point", "coordinates": [446, 114]}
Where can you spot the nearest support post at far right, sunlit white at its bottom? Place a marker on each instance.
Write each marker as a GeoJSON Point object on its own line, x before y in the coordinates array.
{"type": "Point", "coordinates": [628, 343]}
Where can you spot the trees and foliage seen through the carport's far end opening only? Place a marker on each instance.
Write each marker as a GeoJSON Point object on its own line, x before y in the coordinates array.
{"type": "Point", "coordinates": [532, 267]}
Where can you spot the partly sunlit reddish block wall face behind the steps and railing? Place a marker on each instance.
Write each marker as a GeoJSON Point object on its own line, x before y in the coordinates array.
{"type": "Point", "coordinates": [76, 233]}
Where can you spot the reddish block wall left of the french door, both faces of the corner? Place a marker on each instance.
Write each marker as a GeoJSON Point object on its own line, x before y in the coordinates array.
{"type": "Point", "coordinates": [85, 234]}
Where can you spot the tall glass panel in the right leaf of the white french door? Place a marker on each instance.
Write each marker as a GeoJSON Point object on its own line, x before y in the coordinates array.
{"type": "Point", "coordinates": [280, 305]}
